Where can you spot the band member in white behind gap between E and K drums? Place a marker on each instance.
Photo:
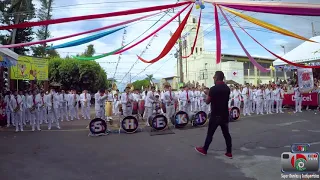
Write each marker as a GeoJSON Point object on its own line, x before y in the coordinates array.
{"type": "Point", "coordinates": [169, 100]}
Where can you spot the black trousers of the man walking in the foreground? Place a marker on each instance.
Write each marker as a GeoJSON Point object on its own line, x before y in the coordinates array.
{"type": "Point", "coordinates": [214, 122]}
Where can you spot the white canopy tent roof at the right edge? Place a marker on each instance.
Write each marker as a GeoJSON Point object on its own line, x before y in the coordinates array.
{"type": "Point", "coordinates": [306, 52]}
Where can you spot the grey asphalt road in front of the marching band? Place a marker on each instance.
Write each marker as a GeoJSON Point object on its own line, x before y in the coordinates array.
{"type": "Point", "coordinates": [69, 154]}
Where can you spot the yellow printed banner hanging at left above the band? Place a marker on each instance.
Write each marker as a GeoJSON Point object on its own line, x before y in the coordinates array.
{"type": "Point", "coordinates": [30, 68]}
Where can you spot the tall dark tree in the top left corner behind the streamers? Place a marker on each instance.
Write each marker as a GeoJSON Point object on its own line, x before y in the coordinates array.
{"type": "Point", "coordinates": [14, 12]}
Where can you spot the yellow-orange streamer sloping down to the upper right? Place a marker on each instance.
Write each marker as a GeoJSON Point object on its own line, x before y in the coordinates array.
{"type": "Point", "coordinates": [267, 25]}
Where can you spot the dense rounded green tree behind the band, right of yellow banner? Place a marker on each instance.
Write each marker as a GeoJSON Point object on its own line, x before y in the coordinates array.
{"type": "Point", "coordinates": [79, 75]}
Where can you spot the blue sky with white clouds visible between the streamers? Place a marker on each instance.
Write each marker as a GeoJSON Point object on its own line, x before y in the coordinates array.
{"type": "Point", "coordinates": [165, 67]}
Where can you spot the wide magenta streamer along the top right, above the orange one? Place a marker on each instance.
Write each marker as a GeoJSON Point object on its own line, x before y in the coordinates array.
{"type": "Point", "coordinates": [285, 8]}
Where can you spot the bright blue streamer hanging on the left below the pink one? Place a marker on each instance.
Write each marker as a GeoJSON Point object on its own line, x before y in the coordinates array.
{"type": "Point", "coordinates": [84, 40]}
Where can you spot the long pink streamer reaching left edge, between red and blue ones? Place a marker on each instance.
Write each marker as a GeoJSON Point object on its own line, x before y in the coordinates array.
{"type": "Point", "coordinates": [77, 34]}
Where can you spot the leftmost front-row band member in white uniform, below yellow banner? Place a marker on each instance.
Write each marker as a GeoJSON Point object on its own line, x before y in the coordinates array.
{"type": "Point", "coordinates": [15, 107]}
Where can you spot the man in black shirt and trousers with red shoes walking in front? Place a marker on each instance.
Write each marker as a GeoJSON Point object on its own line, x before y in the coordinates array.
{"type": "Point", "coordinates": [218, 97]}
